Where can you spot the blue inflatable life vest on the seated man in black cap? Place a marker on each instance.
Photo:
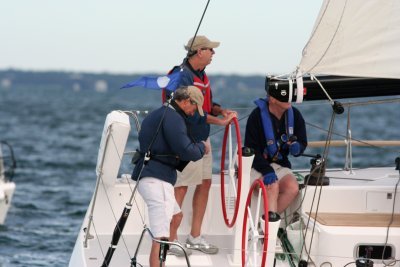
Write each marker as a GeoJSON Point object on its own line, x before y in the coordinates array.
{"type": "Point", "coordinates": [272, 145]}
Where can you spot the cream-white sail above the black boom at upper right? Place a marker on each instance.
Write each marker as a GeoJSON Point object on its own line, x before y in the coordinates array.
{"type": "Point", "coordinates": [355, 38]}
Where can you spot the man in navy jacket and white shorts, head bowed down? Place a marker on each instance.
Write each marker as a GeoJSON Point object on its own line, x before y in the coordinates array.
{"type": "Point", "coordinates": [169, 149]}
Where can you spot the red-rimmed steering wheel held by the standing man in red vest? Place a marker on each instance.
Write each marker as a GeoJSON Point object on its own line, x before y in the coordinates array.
{"type": "Point", "coordinates": [233, 169]}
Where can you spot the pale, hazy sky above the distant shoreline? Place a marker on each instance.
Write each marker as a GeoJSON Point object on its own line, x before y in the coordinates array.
{"type": "Point", "coordinates": [147, 36]}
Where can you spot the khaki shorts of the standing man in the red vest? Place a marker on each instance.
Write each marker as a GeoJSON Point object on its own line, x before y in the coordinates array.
{"type": "Point", "coordinates": [196, 171]}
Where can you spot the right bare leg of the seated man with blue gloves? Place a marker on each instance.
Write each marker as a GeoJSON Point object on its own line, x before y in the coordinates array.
{"type": "Point", "coordinates": [288, 190]}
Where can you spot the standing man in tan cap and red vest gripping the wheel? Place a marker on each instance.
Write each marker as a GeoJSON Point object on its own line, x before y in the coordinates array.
{"type": "Point", "coordinates": [200, 51]}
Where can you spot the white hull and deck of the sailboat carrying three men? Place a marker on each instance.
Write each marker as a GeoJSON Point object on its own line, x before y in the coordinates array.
{"type": "Point", "coordinates": [354, 196]}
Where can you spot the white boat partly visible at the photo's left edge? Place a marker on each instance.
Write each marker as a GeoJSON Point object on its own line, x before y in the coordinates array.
{"type": "Point", "coordinates": [7, 186]}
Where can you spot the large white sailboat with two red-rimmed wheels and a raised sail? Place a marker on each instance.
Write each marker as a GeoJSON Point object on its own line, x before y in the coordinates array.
{"type": "Point", "coordinates": [342, 217]}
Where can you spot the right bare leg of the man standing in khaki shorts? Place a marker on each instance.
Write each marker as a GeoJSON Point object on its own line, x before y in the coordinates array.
{"type": "Point", "coordinates": [200, 199]}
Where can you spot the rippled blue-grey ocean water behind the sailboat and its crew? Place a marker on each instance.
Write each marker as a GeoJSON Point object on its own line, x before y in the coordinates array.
{"type": "Point", "coordinates": [55, 134]}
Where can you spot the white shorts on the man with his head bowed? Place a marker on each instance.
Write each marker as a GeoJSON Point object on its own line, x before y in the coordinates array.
{"type": "Point", "coordinates": [161, 204]}
